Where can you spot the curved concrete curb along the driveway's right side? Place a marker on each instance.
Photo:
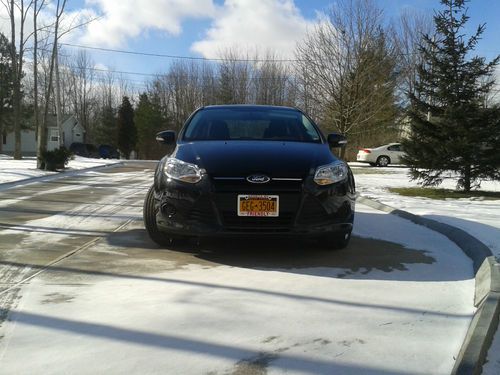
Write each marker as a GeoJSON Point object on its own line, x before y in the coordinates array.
{"type": "Point", "coordinates": [484, 324]}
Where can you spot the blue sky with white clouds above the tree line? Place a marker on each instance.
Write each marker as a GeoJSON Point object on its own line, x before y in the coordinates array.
{"type": "Point", "coordinates": [200, 27]}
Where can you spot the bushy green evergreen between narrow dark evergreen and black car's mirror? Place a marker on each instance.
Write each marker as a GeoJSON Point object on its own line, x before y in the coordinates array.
{"type": "Point", "coordinates": [149, 121]}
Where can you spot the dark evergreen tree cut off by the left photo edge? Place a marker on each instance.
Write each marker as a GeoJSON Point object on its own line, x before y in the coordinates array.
{"type": "Point", "coordinates": [6, 84]}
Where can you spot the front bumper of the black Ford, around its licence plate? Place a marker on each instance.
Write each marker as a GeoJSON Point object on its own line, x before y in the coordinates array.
{"type": "Point", "coordinates": [209, 208]}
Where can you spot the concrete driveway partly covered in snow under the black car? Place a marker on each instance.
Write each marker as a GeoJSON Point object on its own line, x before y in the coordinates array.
{"type": "Point", "coordinates": [83, 290]}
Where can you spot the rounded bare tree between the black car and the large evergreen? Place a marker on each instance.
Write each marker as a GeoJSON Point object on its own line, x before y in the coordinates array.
{"type": "Point", "coordinates": [347, 66]}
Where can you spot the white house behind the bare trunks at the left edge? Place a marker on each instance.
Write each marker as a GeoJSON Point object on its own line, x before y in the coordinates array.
{"type": "Point", "coordinates": [72, 132]}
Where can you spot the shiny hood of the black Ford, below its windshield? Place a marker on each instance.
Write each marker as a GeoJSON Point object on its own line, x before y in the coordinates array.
{"type": "Point", "coordinates": [243, 158]}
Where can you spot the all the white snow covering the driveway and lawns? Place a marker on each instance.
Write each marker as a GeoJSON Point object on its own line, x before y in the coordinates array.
{"type": "Point", "coordinates": [208, 317]}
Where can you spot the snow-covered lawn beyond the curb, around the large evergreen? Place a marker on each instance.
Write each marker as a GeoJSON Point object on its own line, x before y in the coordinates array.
{"type": "Point", "coordinates": [479, 217]}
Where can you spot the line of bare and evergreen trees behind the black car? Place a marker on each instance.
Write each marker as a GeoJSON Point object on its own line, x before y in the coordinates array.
{"type": "Point", "coordinates": [355, 72]}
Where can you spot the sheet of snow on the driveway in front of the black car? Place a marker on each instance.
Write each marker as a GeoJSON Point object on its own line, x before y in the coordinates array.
{"type": "Point", "coordinates": [213, 318]}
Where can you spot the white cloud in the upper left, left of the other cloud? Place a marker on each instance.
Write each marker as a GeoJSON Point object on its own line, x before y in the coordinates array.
{"type": "Point", "coordinates": [126, 19]}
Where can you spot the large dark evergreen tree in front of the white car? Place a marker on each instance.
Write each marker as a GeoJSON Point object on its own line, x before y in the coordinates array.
{"type": "Point", "coordinates": [451, 130]}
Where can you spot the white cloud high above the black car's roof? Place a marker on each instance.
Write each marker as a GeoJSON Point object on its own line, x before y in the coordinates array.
{"type": "Point", "coordinates": [262, 25]}
